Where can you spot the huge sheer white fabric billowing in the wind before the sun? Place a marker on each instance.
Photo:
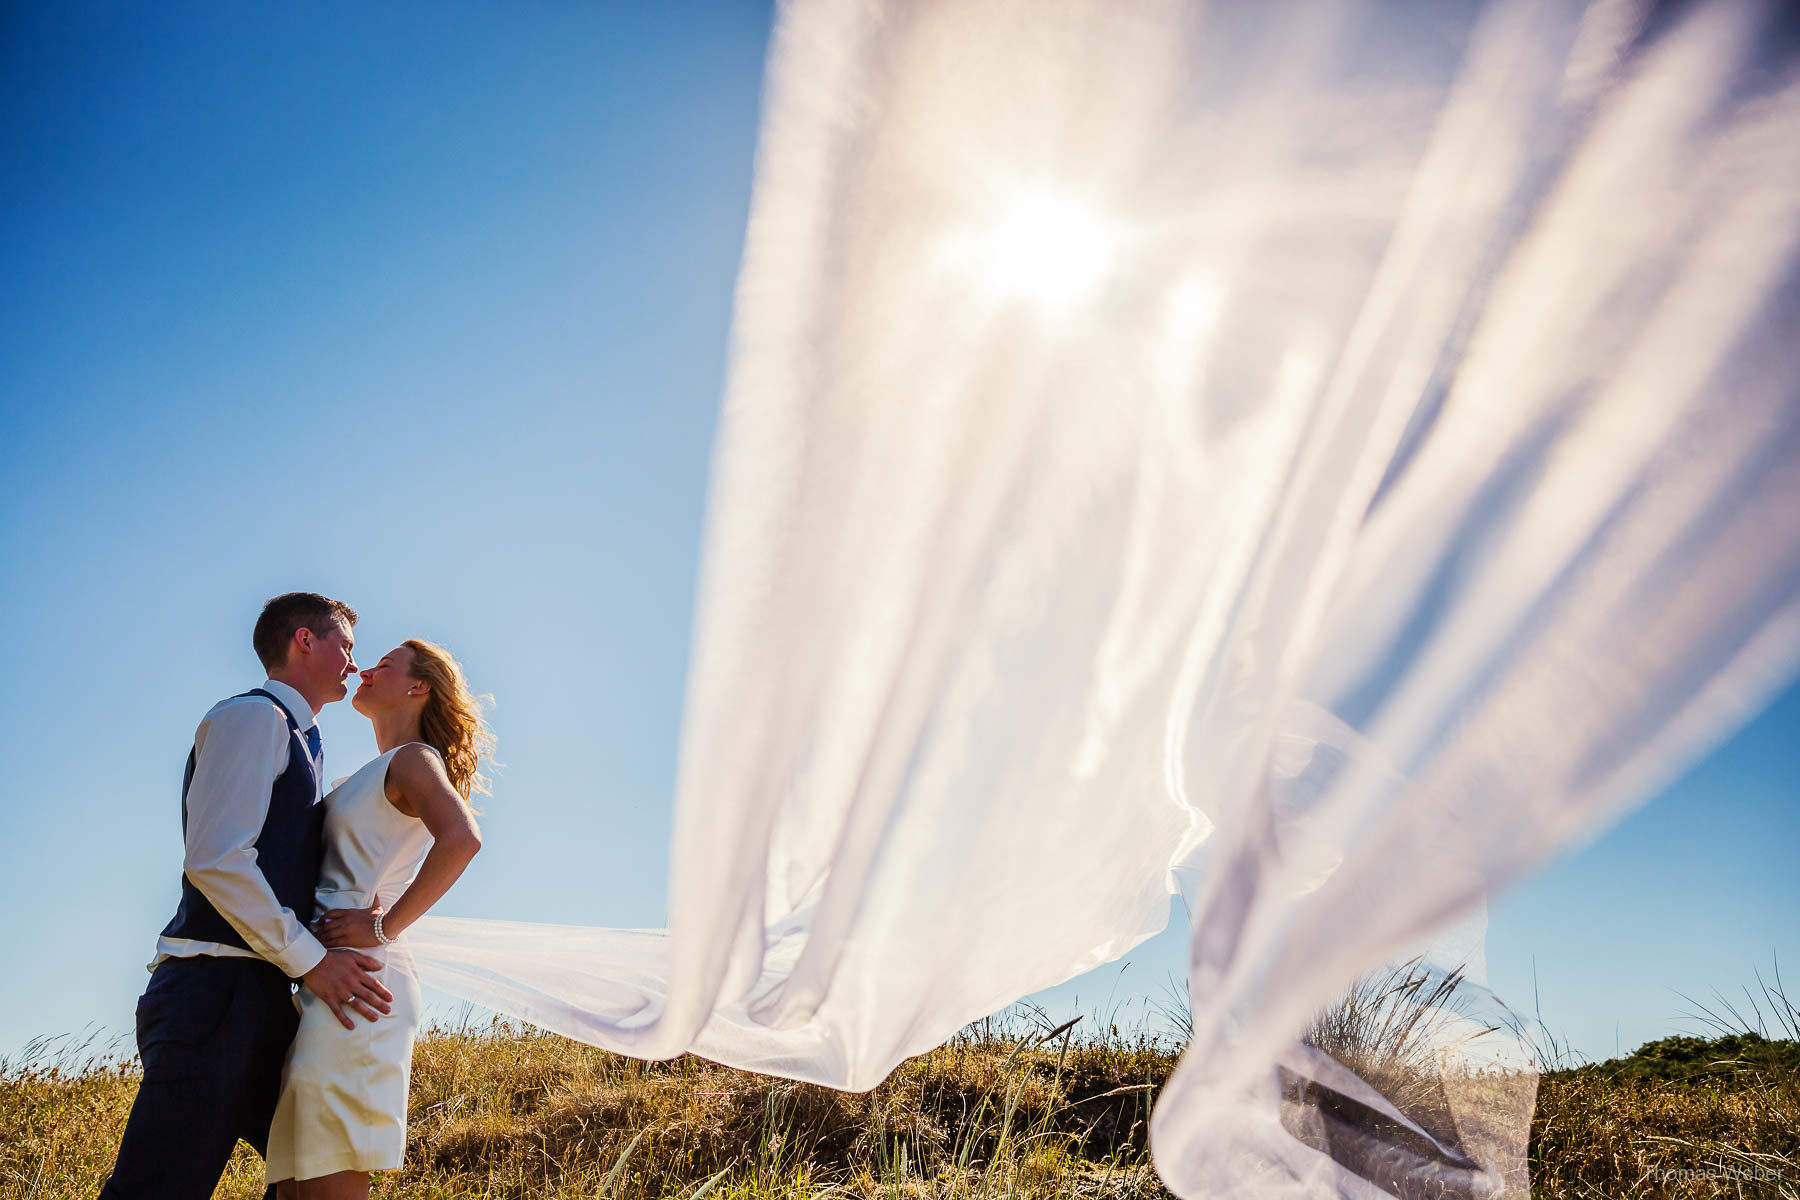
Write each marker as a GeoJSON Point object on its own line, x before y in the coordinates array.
{"type": "Point", "coordinates": [1317, 460]}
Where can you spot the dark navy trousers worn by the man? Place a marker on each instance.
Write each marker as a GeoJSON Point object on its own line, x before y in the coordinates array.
{"type": "Point", "coordinates": [211, 1034]}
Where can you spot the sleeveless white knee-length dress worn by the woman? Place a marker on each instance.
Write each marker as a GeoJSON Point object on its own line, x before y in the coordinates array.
{"type": "Point", "coordinates": [345, 1091]}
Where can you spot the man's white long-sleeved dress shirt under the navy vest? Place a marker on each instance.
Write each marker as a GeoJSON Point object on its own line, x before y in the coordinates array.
{"type": "Point", "coordinates": [240, 751]}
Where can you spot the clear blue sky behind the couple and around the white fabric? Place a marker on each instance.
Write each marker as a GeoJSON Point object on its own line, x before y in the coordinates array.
{"type": "Point", "coordinates": [427, 309]}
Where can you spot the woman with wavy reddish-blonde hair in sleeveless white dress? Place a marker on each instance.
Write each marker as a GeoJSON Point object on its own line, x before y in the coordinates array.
{"type": "Point", "coordinates": [402, 827]}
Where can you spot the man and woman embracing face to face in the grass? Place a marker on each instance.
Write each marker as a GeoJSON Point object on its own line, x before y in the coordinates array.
{"type": "Point", "coordinates": [282, 884]}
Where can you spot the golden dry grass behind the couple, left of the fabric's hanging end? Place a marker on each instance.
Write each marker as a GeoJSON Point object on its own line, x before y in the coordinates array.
{"type": "Point", "coordinates": [505, 1111]}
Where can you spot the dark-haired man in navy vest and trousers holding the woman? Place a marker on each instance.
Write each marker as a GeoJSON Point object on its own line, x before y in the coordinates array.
{"type": "Point", "coordinates": [215, 1025]}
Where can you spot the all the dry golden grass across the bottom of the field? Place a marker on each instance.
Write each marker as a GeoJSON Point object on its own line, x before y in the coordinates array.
{"type": "Point", "coordinates": [996, 1113]}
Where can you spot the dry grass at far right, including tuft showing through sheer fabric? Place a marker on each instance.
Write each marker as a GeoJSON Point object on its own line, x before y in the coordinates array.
{"type": "Point", "coordinates": [1678, 1120]}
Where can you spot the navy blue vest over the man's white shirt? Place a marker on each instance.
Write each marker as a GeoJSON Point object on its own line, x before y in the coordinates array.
{"type": "Point", "coordinates": [289, 850]}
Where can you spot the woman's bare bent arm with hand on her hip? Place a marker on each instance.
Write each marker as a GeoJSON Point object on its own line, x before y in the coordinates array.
{"type": "Point", "coordinates": [418, 787]}
